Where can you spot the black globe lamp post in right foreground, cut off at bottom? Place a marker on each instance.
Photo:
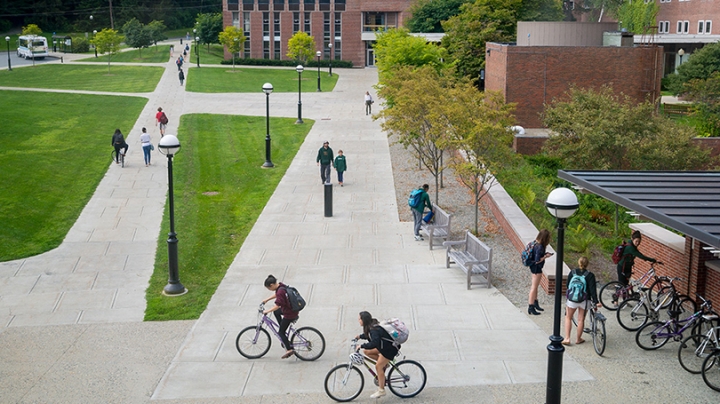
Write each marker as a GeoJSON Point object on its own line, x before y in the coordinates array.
{"type": "Point", "coordinates": [561, 203]}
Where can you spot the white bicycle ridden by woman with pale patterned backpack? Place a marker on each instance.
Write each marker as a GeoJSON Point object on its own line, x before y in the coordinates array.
{"type": "Point", "coordinates": [406, 378]}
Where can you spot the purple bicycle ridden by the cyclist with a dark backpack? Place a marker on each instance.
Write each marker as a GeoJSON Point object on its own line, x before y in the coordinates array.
{"type": "Point", "coordinates": [254, 341]}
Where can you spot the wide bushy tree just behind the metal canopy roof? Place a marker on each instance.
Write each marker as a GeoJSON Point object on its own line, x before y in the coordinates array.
{"type": "Point", "coordinates": [599, 130]}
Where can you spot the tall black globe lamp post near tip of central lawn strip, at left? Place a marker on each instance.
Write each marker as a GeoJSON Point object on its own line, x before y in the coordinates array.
{"type": "Point", "coordinates": [170, 145]}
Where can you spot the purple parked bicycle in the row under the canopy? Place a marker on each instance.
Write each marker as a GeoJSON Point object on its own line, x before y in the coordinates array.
{"type": "Point", "coordinates": [656, 334]}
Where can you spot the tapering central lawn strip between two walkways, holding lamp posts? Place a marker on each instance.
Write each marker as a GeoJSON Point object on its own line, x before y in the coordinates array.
{"type": "Point", "coordinates": [220, 190]}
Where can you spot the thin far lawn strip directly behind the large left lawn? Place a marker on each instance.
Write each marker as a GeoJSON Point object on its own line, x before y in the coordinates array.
{"type": "Point", "coordinates": [122, 79]}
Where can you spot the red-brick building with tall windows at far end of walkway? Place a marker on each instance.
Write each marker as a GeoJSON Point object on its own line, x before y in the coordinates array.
{"type": "Point", "coordinates": [348, 25]}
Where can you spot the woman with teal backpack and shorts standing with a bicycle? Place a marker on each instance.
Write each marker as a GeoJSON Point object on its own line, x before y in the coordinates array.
{"type": "Point", "coordinates": [590, 295]}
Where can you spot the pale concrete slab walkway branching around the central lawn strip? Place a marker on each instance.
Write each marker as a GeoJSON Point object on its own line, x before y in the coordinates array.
{"type": "Point", "coordinates": [362, 258]}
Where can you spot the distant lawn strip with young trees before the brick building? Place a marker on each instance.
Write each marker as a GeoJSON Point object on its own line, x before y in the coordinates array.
{"type": "Point", "coordinates": [245, 80]}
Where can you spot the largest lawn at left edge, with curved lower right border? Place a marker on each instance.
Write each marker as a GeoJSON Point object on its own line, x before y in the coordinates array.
{"type": "Point", "coordinates": [52, 158]}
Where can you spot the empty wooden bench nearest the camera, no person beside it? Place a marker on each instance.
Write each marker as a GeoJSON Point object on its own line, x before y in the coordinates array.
{"type": "Point", "coordinates": [472, 256]}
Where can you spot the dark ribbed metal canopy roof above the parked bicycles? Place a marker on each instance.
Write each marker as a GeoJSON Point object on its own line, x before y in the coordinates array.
{"type": "Point", "coordinates": [685, 201]}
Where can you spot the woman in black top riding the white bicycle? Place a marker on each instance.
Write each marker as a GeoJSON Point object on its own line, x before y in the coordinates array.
{"type": "Point", "coordinates": [380, 347]}
